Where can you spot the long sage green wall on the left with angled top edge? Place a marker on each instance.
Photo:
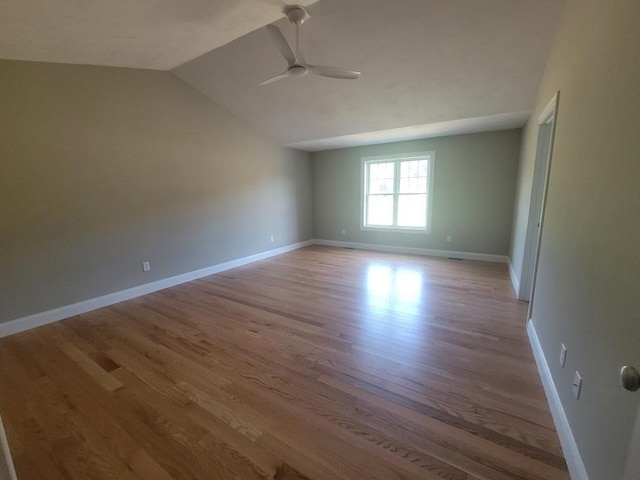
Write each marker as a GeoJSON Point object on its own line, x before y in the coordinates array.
{"type": "Point", "coordinates": [103, 168]}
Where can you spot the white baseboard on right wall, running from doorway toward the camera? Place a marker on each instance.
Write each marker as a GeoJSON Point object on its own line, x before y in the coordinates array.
{"type": "Point", "coordinates": [577, 470]}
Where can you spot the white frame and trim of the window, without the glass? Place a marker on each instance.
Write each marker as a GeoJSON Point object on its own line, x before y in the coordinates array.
{"type": "Point", "coordinates": [430, 156]}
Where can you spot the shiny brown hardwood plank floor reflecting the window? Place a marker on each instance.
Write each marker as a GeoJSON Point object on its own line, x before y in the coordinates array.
{"type": "Point", "coordinates": [321, 363]}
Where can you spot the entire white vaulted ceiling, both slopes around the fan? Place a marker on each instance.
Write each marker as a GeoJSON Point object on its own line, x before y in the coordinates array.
{"type": "Point", "coordinates": [430, 67]}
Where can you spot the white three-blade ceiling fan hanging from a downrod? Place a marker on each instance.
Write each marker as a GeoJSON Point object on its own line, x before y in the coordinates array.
{"type": "Point", "coordinates": [297, 65]}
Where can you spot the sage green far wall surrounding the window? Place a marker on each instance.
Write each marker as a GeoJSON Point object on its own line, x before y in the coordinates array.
{"type": "Point", "coordinates": [474, 186]}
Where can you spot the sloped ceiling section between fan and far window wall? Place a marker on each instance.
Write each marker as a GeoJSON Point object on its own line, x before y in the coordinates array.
{"type": "Point", "coordinates": [430, 67]}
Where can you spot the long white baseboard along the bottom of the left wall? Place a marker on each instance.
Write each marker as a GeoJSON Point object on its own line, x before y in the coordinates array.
{"type": "Point", "coordinates": [50, 316]}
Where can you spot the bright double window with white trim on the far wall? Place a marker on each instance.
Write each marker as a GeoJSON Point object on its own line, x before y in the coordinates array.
{"type": "Point", "coordinates": [398, 192]}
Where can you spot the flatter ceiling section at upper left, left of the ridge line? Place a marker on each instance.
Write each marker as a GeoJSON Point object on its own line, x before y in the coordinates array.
{"type": "Point", "coordinates": [154, 34]}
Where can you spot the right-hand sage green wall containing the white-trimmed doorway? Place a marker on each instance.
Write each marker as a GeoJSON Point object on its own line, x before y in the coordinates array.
{"type": "Point", "coordinates": [587, 286]}
